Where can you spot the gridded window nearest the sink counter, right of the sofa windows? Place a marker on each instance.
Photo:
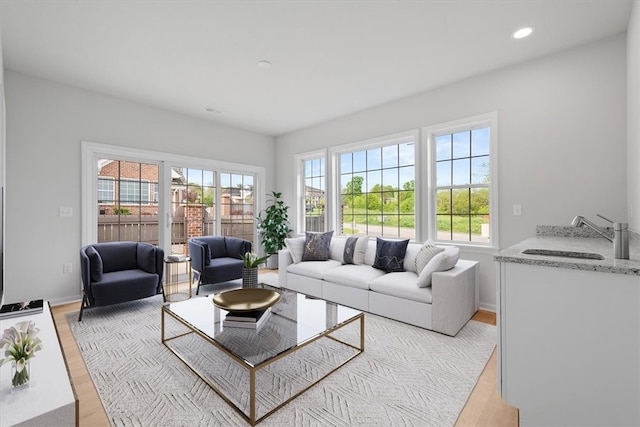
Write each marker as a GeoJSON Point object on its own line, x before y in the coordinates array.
{"type": "Point", "coordinates": [462, 178]}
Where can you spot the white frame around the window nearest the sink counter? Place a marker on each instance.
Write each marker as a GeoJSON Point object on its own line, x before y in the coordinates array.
{"type": "Point", "coordinates": [429, 161]}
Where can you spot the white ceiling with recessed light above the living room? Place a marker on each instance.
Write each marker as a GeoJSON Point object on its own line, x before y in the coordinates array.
{"type": "Point", "coordinates": [330, 58]}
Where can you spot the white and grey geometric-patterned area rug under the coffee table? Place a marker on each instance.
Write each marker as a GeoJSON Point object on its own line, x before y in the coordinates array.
{"type": "Point", "coordinates": [407, 376]}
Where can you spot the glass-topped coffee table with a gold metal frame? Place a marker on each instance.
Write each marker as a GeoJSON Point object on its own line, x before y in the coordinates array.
{"type": "Point", "coordinates": [258, 371]}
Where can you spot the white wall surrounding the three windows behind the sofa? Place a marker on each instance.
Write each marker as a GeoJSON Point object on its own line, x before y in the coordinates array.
{"type": "Point", "coordinates": [561, 138]}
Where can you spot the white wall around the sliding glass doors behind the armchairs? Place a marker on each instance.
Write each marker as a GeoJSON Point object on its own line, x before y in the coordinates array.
{"type": "Point", "coordinates": [45, 124]}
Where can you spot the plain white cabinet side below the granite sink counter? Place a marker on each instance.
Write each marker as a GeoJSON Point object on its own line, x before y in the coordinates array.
{"type": "Point", "coordinates": [569, 345]}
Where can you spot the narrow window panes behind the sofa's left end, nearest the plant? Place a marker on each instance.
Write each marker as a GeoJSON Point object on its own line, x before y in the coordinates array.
{"type": "Point", "coordinates": [314, 194]}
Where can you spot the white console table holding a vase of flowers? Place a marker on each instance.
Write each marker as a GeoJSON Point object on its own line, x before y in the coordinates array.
{"type": "Point", "coordinates": [50, 399]}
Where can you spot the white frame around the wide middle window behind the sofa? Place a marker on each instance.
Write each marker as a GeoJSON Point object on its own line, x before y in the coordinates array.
{"type": "Point", "coordinates": [397, 138]}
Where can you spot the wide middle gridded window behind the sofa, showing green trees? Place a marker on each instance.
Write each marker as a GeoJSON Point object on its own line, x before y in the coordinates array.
{"type": "Point", "coordinates": [377, 188]}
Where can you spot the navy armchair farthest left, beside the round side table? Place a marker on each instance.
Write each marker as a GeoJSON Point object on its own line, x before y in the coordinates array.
{"type": "Point", "coordinates": [117, 272]}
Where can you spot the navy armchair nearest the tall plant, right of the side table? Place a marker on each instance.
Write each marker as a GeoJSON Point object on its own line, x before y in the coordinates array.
{"type": "Point", "coordinates": [216, 259]}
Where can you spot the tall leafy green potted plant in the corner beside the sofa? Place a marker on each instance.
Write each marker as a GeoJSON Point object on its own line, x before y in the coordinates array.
{"type": "Point", "coordinates": [273, 227]}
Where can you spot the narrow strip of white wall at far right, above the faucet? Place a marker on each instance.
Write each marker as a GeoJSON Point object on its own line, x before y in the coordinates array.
{"type": "Point", "coordinates": [633, 117]}
